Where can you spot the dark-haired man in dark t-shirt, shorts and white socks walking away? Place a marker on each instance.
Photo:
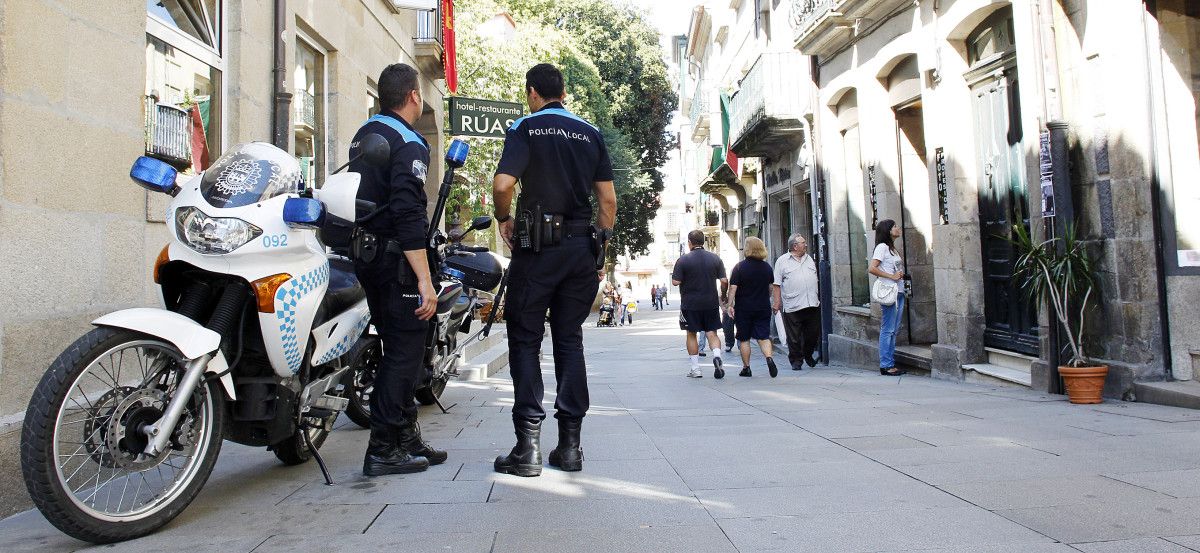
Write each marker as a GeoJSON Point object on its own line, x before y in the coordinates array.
{"type": "Point", "coordinates": [697, 275]}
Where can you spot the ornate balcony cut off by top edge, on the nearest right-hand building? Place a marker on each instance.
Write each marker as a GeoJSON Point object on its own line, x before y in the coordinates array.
{"type": "Point", "coordinates": [825, 27]}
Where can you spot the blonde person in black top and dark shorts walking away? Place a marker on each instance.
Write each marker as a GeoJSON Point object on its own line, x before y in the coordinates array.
{"type": "Point", "coordinates": [751, 285]}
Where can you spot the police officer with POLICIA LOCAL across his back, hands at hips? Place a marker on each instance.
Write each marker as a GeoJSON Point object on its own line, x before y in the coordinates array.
{"type": "Point", "coordinates": [561, 161]}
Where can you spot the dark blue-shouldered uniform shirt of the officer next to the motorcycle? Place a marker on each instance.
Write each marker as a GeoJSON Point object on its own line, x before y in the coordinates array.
{"type": "Point", "coordinates": [399, 187]}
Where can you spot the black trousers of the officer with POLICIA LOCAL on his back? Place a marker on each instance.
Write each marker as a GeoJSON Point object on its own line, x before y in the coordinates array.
{"type": "Point", "coordinates": [561, 279]}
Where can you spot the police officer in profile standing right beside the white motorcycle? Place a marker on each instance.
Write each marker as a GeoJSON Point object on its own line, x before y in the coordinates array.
{"type": "Point", "coordinates": [389, 250]}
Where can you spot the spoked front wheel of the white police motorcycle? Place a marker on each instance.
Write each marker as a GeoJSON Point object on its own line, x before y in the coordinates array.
{"type": "Point", "coordinates": [82, 443]}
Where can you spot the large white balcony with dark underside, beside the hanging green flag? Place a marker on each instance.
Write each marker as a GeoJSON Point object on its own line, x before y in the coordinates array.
{"type": "Point", "coordinates": [767, 112]}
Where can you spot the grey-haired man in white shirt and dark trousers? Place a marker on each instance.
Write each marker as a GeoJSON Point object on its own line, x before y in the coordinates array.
{"type": "Point", "coordinates": [796, 293]}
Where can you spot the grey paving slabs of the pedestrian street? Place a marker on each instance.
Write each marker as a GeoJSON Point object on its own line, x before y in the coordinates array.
{"type": "Point", "coordinates": [827, 460]}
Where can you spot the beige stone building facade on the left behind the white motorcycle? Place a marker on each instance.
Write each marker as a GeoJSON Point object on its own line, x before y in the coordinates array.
{"type": "Point", "coordinates": [81, 91]}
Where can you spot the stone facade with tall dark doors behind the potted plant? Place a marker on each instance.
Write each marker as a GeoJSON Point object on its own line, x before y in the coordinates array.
{"type": "Point", "coordinates": [933, 115]}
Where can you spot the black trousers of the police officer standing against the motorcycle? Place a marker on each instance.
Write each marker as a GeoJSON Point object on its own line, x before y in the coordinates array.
{"type": "Point", "coordinates": [404, 339]}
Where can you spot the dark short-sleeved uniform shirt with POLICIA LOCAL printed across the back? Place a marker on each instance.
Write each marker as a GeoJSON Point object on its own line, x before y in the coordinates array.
{"type": "Point", "coordinates": [559, 158]}
